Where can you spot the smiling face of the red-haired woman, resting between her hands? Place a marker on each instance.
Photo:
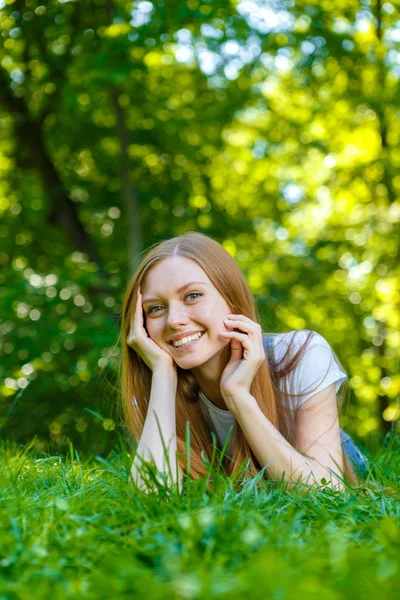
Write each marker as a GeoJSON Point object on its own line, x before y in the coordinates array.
{"type": "Point", "coordinates": [198, 307]}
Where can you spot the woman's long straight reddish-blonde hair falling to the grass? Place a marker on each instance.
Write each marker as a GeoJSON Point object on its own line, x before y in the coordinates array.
{"type": "Point", "coordinates": [226, 276]}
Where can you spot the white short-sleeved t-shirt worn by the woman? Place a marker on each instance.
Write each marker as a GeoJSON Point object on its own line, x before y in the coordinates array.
{"type": "Point", "coordinates": [317, 369]}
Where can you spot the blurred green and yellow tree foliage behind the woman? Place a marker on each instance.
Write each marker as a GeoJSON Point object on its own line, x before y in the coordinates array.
{"type": "Point", "coordinates": [274, 131]}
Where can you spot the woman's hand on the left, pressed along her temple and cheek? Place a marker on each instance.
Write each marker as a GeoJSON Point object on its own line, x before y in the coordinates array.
{"type": "Point", "coordinates": [138, 339]}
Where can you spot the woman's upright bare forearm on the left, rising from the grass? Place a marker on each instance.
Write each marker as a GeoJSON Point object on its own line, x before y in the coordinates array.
{"type": "Point", "coordinates": [161, 417]}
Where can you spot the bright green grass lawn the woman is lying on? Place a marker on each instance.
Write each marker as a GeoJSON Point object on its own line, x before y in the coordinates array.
{"type": "Point", "coordinates": [74, 529]}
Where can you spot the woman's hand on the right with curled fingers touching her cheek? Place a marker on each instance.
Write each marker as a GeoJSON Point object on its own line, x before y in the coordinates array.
{"type": "Point", "coordinates": [247, 355]}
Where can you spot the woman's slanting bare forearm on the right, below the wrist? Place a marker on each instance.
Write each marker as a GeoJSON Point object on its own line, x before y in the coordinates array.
{"type": "Point", "coordinates": [272, 449]}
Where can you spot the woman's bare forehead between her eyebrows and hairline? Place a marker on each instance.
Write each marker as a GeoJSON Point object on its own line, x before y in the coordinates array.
{"type": "Point", "coordinates": [172, 273]}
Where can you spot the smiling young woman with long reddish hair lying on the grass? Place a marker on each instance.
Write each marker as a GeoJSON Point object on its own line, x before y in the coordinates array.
{"type": "Point", "coordinates": [193, 350]}
